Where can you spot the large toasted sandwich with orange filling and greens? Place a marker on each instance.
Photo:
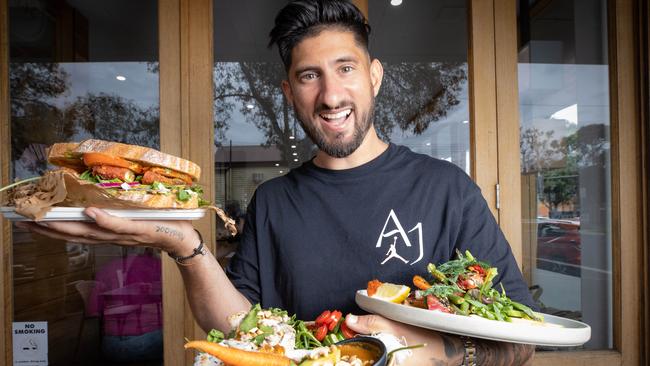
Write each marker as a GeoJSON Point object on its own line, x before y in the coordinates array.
{"type": "Point", "coordinates": [136, 175]}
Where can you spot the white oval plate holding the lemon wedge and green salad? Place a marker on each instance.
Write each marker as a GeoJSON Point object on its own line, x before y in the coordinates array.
{"type": "Point", "coordinates": [557, 332]}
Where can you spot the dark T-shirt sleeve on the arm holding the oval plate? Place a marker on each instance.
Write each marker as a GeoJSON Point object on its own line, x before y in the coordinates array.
{"type": "Point", "coordinates": [481, 235]}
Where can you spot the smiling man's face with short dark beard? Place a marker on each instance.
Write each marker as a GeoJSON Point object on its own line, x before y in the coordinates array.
{"type": "Point", "coordinates": [332, 85]}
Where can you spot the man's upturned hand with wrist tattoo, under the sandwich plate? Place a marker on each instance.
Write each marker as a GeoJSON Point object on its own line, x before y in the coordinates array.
{"type": "Point", "coordinates": [177, 237]}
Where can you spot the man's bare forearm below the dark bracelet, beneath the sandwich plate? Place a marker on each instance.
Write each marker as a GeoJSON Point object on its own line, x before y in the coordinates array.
{"type": "Point", "coordinates": [211, 295]}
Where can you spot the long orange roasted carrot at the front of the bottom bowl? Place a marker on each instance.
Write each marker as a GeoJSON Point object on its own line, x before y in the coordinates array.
{"type": "Point", "coordinates": [238, 357]}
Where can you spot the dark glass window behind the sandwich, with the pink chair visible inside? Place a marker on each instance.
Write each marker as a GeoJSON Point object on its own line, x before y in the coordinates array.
{"type": "Point", "coordinates": [82, 69]}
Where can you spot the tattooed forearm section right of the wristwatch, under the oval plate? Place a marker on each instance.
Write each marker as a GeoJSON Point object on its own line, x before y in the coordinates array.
{"type": "Point", "coordinates": [501, 353]}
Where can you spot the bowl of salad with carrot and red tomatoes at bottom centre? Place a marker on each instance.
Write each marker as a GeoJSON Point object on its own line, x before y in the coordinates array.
{"type": "Point", "coordinates": [271, 337]}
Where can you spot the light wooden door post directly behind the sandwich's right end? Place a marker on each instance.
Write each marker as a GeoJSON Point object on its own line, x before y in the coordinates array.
{"type": "Point", "coordinates": [186, 130]}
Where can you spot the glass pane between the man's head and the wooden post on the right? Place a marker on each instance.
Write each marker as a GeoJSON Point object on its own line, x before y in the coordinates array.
{"type": "Point", "coordinates": [423, 100]}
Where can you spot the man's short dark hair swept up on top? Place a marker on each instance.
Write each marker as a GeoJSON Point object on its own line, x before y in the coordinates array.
{"type": "Point", "coordinates": [305, 18]}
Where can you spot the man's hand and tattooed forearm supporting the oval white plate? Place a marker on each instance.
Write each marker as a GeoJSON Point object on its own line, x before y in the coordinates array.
{"type": "Point", "coordinates": [442, 348]}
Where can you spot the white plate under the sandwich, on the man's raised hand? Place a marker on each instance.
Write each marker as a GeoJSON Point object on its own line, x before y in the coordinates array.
{"type": "Point", "coordinates": [76, 214]}
